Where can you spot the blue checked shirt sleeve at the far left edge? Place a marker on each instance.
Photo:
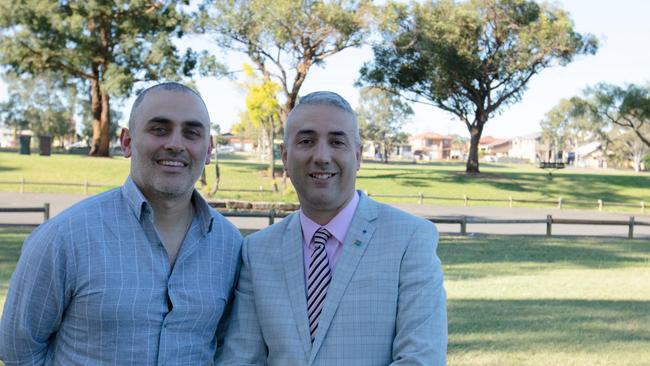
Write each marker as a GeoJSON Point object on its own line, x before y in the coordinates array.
{"type": "Point", "coordinates": [39, 292]}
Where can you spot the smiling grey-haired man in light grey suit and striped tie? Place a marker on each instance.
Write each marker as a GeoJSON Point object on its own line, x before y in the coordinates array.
{"type": "Point", "coordinates": [344, 281]}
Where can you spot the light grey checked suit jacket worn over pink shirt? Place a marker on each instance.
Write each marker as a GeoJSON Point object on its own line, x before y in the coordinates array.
{"type": "Point", "coordinates": [385, 304]}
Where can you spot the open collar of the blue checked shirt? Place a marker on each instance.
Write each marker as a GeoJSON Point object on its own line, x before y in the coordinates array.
{"type": "Point", "coordinates": [140, 206]}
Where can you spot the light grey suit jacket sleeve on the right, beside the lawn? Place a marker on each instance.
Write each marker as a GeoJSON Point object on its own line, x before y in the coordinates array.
{"type": "Point", "coordinates": [421, 325]}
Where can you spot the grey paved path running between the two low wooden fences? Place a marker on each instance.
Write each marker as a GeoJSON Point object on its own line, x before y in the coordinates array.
{"type": "Point", "coordinates": [59, 202]}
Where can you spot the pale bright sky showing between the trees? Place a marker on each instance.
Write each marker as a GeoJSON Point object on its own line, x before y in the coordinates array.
{"type": "Point", "coordinates": [623, 57]}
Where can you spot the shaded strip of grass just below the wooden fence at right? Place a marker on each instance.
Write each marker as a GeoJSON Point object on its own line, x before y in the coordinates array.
{"type": "Point", "coordinates": [528, 253]}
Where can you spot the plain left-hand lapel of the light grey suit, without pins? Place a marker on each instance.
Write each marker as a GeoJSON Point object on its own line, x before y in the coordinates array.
{"type": "Point", "coordinates": [294, 275]}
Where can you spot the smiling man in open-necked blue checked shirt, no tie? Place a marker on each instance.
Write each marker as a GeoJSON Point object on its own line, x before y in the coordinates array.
{"type": "Point", "coordinates": [139, 275]}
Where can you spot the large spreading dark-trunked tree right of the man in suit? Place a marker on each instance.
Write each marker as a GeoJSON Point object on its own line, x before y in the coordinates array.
{"type": "Point", "coordinates": [470, 58]}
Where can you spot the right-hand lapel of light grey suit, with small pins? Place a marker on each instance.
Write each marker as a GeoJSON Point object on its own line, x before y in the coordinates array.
{"type": "Point", "coordinates": [356, 241]}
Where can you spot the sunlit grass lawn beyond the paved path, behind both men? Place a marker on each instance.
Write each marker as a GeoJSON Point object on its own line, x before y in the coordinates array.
{"type": "Point", "coordinates": [446, 179]}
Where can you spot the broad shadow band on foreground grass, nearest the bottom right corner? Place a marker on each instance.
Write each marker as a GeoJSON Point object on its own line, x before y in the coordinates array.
{"type": "Point", "coordinates": [540, 325]}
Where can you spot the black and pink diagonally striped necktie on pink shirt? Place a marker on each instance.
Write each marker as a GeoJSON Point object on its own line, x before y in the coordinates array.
{"type": "Point", "coordinates": [318, 279]}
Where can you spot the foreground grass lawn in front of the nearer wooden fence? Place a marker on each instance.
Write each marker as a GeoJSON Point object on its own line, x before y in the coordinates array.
{"type": "Point", "coordinates": [517, 301]}
